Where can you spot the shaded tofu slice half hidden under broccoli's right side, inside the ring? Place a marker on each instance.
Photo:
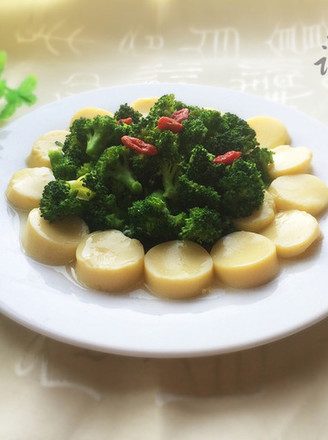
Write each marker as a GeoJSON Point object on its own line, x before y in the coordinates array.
{"type": "Point", "coordinates": [260, 218]}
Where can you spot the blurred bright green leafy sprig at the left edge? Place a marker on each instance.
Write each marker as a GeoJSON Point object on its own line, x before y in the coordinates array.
{"type": "Point", "coordinates": [13, 98]}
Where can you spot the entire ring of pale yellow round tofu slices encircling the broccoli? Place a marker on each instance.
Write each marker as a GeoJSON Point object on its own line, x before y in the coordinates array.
{"type": "Point", "coordinates": [285, 226]}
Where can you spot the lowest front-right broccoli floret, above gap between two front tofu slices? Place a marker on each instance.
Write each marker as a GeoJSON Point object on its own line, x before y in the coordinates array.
{"type": "Point", "coordinates": [205, 226]}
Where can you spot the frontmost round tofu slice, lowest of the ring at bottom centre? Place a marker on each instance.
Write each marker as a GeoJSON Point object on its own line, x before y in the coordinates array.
{"type": "Point", "coordinates": [178, 269]}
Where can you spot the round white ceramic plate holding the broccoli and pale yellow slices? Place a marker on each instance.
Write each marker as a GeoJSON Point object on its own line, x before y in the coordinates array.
{"type": "Point", "coordinates": [46, 300]}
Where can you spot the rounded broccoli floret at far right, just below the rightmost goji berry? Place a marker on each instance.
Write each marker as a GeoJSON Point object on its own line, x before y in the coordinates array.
{"type": "Point", "coordinates": [241, 189]}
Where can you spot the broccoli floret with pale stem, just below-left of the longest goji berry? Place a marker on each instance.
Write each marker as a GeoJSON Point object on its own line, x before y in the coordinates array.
{"type": "Point", "coordinates": [113, 170]}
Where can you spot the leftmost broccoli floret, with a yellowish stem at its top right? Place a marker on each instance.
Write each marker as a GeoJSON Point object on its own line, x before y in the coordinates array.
{"type": "Point", "coordinates": [62, 199]}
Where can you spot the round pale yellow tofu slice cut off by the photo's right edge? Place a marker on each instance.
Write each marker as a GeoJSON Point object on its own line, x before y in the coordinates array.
{"type": "Point", "coordinates": [305, 192]}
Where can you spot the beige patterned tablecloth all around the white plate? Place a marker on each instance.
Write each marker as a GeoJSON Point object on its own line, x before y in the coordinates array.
{"type": "Point", "coordinates": [52, 391]}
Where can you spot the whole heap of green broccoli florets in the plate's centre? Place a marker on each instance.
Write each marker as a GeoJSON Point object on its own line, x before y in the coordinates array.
{"type": "Point", "coordinates": [178, 193]}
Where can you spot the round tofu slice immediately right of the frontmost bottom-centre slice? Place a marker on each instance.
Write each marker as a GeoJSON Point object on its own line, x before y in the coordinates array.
{"type": "Point", "coordinates": [245, 259]}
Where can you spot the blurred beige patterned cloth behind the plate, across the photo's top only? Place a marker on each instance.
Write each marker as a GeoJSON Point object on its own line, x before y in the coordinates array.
{"type": "Point", "coordinates": [261, 47]}
